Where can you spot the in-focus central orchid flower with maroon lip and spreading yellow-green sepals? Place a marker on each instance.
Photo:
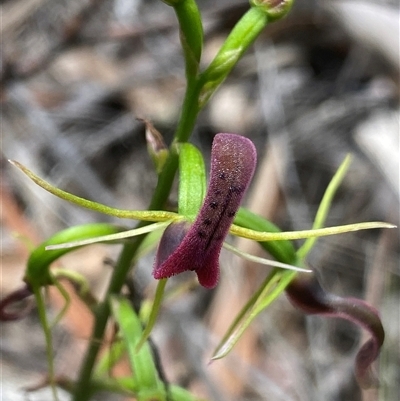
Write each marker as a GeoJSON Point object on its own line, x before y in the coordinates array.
{"type": "Point", "coordinates": [194, 236]}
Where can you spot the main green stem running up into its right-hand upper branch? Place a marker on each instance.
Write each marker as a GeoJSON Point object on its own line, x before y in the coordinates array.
{"type": "Point", "coordinates": [241, 37]}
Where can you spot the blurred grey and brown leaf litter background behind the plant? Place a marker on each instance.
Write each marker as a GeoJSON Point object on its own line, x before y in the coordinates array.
{"type": "Point", "coordinates": [324, 82]}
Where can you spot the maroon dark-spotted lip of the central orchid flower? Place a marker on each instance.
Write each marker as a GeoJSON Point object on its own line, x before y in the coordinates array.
{"type": "Point", "coordinates": [197, 246]}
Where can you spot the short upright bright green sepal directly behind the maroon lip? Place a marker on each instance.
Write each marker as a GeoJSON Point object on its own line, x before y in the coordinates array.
{"type": "Point", "coordinates": [192, 180]}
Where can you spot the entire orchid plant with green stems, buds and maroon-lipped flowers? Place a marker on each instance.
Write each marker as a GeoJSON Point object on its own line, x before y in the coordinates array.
{"type": "Point", "coordinates": [191, 238]}
